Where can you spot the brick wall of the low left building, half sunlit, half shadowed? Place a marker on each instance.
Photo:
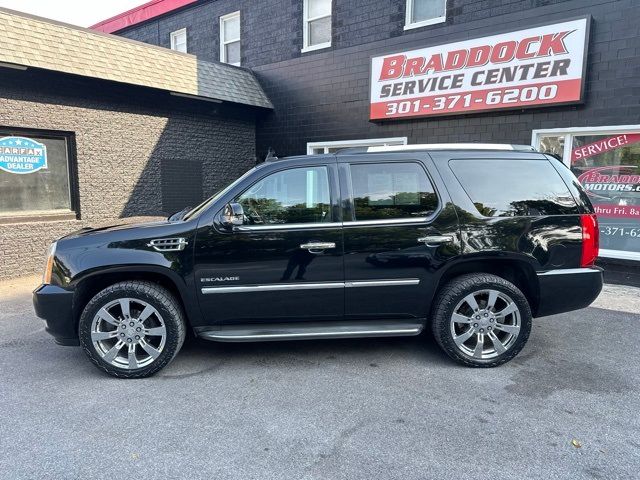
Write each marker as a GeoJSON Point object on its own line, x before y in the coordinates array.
{"type": "Point", "coordinates": [138, 153]}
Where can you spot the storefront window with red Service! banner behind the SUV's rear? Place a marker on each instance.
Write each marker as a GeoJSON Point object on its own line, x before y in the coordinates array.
{"type": "Point", "coordinates": [607, 163]}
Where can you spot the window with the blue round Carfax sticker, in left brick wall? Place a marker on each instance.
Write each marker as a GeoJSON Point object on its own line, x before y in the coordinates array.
{"type": "Point", "coordinates": [34, 174]}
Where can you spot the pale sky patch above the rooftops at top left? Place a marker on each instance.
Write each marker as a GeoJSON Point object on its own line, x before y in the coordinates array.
{"type": "Point", "coordinates": [78, 12]}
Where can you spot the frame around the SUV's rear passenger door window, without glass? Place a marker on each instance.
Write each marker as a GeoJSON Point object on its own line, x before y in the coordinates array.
{"type": "Point", "coordinates": [349, 211]}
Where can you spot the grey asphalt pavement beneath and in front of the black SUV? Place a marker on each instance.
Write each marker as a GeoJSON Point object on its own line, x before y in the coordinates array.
{"type": "Point", "coordinates": [565, 408]}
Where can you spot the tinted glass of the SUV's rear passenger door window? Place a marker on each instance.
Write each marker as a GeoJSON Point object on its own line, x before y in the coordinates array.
{"type": "Point", "coordinates": [393, 190]}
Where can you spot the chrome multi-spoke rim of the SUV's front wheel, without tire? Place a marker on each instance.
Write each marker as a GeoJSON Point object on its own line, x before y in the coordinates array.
{"type": "Point", "coordinates": [130, 323]}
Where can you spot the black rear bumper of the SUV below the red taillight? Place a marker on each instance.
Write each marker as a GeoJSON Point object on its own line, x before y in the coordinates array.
{"type": "Point", "coordinates": [568, 289]}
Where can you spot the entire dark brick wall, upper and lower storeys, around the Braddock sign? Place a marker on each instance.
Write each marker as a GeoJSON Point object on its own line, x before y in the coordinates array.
{"type": "Point", "coordinates": [323, 95]}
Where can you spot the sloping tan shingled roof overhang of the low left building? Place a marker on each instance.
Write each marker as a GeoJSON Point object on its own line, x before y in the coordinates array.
{"type": "Point", "coordinates": [35, 42]}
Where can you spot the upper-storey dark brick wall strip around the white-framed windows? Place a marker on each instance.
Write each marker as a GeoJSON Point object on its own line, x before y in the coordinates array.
{"type": "Point", "coordinates": [272, 29]}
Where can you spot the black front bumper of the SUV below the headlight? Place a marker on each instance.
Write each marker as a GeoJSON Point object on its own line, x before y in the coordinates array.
{"type": "Point", "coordinates": [55, 306]}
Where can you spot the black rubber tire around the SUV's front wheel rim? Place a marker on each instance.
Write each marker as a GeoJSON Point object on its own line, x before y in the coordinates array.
{"type": "Point", "coordinates": [157, 297]}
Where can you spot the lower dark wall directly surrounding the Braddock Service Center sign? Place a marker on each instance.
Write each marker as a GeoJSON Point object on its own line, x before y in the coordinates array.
{"type": "Point", "coordinates": [325, 96]}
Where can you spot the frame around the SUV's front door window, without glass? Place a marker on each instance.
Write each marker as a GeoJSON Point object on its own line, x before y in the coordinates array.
{"type": "Point", "coordinates": [333, 200]}
